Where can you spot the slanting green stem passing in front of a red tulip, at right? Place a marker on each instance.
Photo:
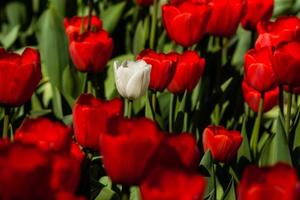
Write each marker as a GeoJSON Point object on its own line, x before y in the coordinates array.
{"type": "Point", "coordinates": [255, 132]}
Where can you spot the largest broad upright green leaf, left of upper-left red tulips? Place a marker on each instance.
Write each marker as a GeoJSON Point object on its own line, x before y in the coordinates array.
{"type": "Point", "coordinates": [53, 45]}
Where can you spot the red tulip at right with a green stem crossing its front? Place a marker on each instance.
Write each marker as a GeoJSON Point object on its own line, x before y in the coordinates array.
{"type": "Point", "coordinates": [252, 97]}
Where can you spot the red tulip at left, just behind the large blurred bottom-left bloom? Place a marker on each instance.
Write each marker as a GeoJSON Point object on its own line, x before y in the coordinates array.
{"type": "Point", "coordinates": [50, 136]}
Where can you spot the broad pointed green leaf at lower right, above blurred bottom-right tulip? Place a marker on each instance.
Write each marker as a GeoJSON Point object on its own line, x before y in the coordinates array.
{"type": "Point", "coordinates": [276, 148]}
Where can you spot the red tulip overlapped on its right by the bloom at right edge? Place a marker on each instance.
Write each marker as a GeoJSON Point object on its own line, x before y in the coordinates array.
{"type": "Point", "coordinates": [259, 72]}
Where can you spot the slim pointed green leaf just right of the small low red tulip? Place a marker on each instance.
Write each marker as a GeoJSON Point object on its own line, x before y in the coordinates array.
{"type": "Point", "coordinates": [244, 150]}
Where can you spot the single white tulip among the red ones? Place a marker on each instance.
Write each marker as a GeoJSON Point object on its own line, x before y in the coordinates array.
{"type": "Point", "coordinates": [132, 78]}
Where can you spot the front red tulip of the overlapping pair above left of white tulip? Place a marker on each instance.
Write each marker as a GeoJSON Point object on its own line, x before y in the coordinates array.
{"type": "Point", "coordinates": [90, 51]}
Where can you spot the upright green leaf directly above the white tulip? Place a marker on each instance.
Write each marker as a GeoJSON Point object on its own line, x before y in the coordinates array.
{"type": "Point", "coordinates": [139, 38]}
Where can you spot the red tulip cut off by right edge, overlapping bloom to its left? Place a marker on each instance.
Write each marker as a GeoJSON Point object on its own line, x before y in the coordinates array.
{"type": "Point", "coordinates": [286, 63]}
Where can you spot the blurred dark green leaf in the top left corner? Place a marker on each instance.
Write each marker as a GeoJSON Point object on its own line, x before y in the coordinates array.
{"type": "Point", "coordinates": [16, 13]}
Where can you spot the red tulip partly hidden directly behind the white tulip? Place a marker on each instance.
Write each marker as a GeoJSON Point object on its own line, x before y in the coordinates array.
{"type": "Point", "coordinates": [162, 70]}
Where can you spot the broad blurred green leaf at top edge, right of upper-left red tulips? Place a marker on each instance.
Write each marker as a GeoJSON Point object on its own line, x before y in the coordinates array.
{"type": "Point", "coordinates": [112, 15]}
